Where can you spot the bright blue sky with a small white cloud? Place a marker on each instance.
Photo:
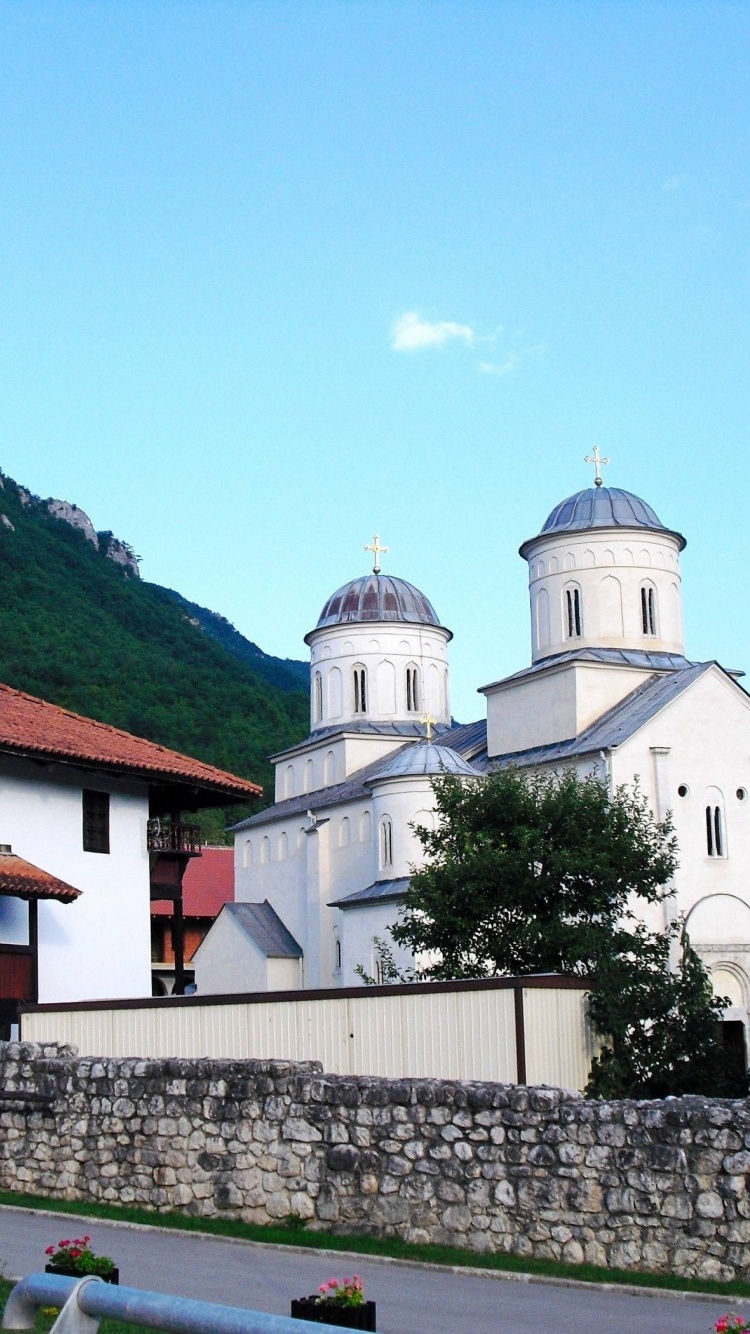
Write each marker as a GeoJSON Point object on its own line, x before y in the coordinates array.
{"type": "Point", "coordinates": [277, 277]}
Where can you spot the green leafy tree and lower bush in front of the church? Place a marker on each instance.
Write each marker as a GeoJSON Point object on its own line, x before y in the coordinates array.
{"type": "Point", "coordinates": [550, 873]}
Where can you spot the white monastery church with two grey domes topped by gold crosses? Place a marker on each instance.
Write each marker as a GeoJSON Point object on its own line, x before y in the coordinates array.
{"type": "Point", "coordinates": [321, 874]}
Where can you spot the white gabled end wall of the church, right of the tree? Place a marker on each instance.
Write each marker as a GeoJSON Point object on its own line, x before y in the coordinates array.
{"type": "Point", "coordinates": [703, 742]}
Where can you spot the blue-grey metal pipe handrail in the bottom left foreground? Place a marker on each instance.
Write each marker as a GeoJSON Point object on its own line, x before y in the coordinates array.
{"type": "Point", "coordinates": [87, 1301]}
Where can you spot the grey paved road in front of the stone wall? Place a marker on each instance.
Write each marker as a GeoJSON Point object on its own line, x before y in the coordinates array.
{"type": "Point", "coordinates": [412, 1300]}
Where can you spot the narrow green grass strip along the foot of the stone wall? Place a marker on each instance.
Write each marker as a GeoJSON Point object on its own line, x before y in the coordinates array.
{"type": "Point", "coordinates": [297, 1235]}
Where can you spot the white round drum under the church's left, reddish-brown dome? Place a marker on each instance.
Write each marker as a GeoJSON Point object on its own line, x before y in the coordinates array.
{"type": "Point", "coordinates": [385, 650]}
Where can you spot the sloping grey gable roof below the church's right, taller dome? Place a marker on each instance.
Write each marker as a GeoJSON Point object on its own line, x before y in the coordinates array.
{"type": "Point", "coordinates": [617, 725]}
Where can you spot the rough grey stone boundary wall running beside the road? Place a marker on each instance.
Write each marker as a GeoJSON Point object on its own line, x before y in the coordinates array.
{"type": "Point", "coordinates": [534, 1172]}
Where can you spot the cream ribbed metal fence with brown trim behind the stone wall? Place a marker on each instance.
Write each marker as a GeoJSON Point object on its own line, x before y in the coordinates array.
{"type": "Point", "coordinates": [442, 1035]}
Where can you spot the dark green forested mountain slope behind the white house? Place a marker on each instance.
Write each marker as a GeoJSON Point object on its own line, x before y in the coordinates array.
{"type": "Point", "coordinates": [86, 633]}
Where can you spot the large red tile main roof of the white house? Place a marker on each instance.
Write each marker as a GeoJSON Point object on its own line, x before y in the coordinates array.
{"type": "Point", "coordinates": [31, 726]}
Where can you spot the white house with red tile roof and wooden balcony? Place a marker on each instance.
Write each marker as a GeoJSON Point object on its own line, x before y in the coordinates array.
{"type": "Point", "coordinates": [90, 832]}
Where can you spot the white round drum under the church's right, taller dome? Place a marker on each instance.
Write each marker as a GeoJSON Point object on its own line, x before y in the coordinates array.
{"type": "Point", "coordinates": [609, 570]}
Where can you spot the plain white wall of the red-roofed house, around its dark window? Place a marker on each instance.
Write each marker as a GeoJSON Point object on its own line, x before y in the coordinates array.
{"type": "Point", "coordinates": [98, 948]}
